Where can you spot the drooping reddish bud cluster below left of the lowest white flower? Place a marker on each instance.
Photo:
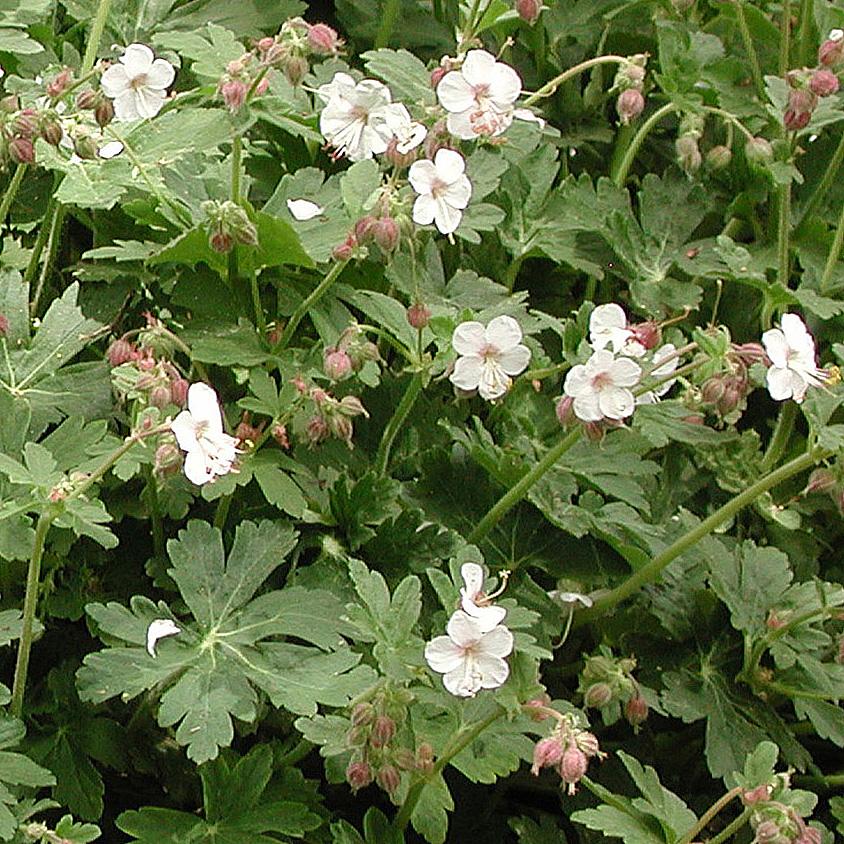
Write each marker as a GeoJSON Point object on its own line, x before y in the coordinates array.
{"type": "Point", "coordinates": [377, 742]}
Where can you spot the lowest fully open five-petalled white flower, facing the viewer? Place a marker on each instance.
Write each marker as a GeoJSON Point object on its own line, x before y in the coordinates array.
{"type": "Point", "coordinates": [470, 658]}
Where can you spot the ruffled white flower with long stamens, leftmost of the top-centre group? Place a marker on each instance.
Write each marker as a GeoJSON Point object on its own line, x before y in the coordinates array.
{"type": "Point", "coordinates": [355, 118]}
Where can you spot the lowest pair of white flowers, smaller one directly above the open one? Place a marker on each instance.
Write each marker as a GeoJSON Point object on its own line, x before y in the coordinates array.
{"type": "Point", "coordinates": [472, 654]}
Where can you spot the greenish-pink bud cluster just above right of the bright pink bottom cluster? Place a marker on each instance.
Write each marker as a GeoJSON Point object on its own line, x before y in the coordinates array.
{"type": "Point", "coordinates": [607, 682]}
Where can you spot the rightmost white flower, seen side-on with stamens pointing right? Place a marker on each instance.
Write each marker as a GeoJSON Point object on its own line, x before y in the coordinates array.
{"type": "Point", "coordinates": [792, 352]}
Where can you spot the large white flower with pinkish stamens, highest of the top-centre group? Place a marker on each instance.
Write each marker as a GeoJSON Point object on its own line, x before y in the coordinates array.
{"type": "Point", "coordinates": [479, 97]}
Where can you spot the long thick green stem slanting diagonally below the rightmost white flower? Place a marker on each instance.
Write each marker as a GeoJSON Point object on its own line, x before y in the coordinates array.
{"type": "Point", "coordinates": [652, 570]}
